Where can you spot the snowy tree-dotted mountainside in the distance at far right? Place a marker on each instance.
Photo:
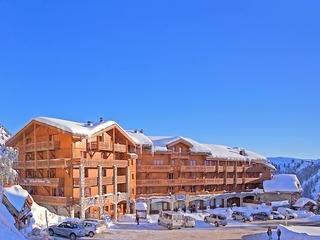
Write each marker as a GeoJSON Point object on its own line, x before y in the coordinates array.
{"type": "Point", "coordinates": [307, 171]}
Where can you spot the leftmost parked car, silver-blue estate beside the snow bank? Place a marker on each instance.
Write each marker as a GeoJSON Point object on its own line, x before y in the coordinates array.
{"type": "Point", "coordinates": [67, 229]}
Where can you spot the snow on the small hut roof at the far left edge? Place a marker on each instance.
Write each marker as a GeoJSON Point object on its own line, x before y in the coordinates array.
{"type": "Point", "coordinates": [16, 195]}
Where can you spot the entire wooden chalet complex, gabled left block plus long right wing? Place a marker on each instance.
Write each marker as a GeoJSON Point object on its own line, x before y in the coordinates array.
{"type": "Point", "coordinates": [88, 169]}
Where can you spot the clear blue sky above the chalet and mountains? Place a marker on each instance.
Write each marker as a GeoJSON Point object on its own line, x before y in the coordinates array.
{"type": "Point", "coordinates": [236, 73]}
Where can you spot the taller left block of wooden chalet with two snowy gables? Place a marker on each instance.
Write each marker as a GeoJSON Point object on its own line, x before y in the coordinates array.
{"type": "Point", "coordinates": [76, 169]}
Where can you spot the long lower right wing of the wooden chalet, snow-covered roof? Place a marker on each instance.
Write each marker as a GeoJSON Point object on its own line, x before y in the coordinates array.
{"type": "Point", "coordinates": [178, 172]}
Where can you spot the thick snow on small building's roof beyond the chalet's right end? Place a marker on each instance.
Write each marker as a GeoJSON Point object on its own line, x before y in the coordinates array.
{"type": "Point", "coordinates": [282, 183]}
